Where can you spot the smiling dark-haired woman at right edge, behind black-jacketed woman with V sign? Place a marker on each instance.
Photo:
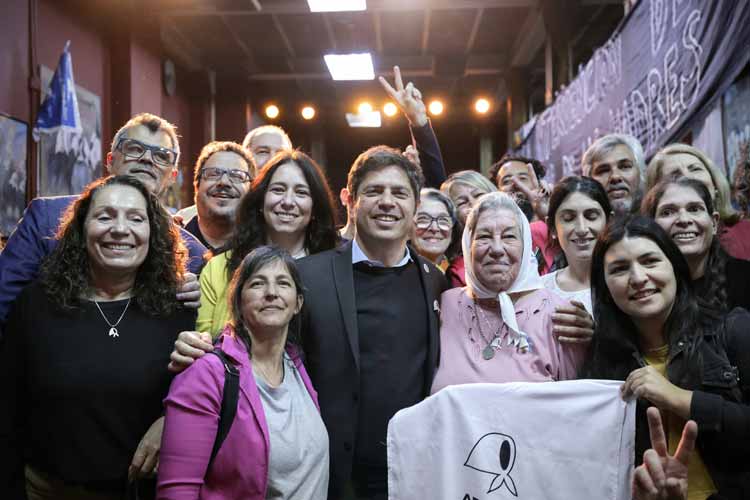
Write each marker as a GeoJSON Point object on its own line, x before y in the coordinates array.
{"type": "Point", "coordinates": [684, 209]}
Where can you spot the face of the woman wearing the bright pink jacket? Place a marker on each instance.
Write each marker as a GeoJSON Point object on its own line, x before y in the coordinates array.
{"type": "Point", "coordinates": [270, 298]}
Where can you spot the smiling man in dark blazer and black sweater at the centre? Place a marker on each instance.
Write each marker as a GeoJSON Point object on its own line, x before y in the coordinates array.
{"type": "Point", "coordinates": [370, 326]}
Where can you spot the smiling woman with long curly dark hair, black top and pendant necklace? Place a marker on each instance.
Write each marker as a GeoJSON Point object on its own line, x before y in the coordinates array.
{"type": "Point", "coordinates": [86, 348]}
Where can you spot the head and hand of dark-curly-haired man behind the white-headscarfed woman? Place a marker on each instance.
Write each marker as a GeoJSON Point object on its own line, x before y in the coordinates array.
{"type": "Point", "coordinates": [521, 178]}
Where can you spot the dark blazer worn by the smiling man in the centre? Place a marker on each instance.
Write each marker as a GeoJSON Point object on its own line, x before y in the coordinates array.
{"type": "Point", "coordinates": [331, 345]}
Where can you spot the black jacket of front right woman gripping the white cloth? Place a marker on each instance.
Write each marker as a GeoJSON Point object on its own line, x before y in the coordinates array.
{"type": "Point", "coordinates": [720, 406]}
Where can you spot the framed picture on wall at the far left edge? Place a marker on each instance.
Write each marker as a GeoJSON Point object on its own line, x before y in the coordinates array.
{"type": "Point", "coordinates": [13, 136]}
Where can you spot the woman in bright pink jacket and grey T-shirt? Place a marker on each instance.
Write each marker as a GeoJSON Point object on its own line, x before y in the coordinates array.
{"type": "Point", "coordinates": [277, 445]}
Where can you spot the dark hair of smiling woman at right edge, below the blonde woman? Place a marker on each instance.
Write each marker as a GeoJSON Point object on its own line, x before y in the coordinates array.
{"type": "Point", "coordinates": [716, 295]}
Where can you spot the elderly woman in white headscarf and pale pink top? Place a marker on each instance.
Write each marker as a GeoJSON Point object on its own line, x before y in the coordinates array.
{"type": "Point", "coordinates": [498, 328]}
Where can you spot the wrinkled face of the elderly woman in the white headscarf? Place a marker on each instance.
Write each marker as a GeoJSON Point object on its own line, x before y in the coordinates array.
{"type": "Point", "coordinates": [497, 249]}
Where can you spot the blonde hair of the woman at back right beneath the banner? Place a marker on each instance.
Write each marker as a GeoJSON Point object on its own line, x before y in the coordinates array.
{"type": "Point", "coordinates": [722, 200]}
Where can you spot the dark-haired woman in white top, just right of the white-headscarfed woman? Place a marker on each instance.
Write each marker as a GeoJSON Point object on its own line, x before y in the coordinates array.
{"type": "Point", "coordinates": [578, 211]}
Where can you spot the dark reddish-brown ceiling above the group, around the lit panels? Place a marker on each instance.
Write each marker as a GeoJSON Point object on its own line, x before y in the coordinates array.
{"type": "Point", "coordinates": [452, 49]}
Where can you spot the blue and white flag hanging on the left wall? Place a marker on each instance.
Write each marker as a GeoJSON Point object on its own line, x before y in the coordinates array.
{"type": "Point", "coordinates": [59, 116]}
